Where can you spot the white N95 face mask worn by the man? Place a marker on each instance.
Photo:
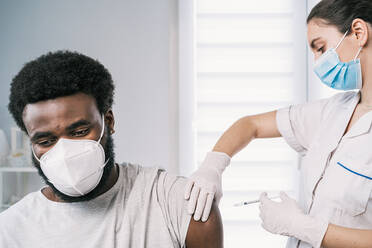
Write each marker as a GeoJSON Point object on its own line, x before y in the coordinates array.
{"type": "Point", "coordinates": [74, 167]}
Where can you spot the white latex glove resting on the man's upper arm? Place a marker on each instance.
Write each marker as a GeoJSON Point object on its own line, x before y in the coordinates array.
{"type": "Point", "coordinates": [205, 184]}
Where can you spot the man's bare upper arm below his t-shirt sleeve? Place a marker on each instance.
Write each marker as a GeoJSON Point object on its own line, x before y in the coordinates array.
{"type": "Point", "coordinates": [206, 234]}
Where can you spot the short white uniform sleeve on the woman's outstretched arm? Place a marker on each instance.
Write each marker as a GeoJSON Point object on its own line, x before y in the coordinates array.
{"type": "Point", "coordinates": [299, 124]}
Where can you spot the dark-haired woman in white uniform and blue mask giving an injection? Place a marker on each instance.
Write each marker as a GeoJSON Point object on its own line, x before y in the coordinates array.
{"type": "Point", "coordinates": [333, 135]}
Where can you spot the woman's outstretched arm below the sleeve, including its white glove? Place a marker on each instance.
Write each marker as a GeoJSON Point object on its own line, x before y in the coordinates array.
{"type": "Point", "coordinates": [204, 185]}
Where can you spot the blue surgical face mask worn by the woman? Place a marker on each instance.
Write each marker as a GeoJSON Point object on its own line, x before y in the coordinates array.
{"type": "Point", "coordinates": [336, 74]}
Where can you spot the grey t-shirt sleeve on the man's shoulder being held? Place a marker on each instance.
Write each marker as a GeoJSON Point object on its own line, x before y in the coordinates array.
{"type": "Point", "coordinates": [174, 206]}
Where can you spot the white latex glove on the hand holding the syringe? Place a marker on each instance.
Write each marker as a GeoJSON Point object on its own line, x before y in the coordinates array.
{"type": "Point", "coordinates": [286, 218]}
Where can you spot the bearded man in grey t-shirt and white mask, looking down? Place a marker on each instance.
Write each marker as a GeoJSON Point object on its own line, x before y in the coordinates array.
{"type": "Point", "coordinates": [63, 101]}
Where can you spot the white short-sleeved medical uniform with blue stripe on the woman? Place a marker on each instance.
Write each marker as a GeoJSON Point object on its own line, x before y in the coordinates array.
{"type": "Point", "coordinates": [336, 167]}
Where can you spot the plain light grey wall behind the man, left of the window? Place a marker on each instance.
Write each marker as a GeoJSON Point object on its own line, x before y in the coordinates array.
{"type": "Point", "coordinates": [135, 39]}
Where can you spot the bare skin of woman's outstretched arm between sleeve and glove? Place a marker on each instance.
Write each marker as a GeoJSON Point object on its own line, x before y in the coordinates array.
{"type": "Point", "coordinates": [243, 131]}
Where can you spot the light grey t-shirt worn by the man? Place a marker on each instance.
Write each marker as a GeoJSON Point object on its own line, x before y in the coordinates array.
{"type": "Point", "coordinates": [145, 208]}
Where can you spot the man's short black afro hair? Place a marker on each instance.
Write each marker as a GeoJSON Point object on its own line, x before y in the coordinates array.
{"type": "Point", "coordinates": [58, 74]}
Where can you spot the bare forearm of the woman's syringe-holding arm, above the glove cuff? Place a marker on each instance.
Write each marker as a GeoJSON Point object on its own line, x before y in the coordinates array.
{"type": "Point", "coordinates": [342, 237]}
